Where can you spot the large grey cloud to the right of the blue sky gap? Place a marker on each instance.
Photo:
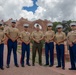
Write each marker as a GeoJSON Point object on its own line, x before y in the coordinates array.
{"type": "Point", "coordinates": [58, 9]}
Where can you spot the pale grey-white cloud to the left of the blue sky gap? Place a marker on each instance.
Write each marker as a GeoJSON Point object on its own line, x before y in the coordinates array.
{"type": "Point", "coordinates": [13, 9]}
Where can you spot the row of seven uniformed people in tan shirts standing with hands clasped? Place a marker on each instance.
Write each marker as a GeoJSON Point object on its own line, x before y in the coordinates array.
{"type": "Point", "coordinates": [37, 36]}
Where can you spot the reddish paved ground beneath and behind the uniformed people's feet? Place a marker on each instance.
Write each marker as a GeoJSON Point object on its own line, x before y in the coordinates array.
{"type": "Point", "coordinates": [33, 70]}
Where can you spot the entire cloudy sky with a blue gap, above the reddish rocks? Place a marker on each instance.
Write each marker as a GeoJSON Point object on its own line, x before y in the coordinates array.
{"type": "Point", "coordinates": [53, 10]}
